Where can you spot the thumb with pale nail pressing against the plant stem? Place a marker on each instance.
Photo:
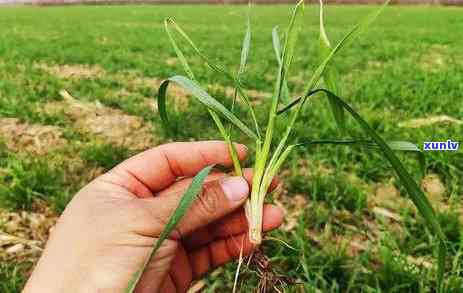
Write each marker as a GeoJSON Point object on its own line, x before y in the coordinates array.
{"type": "Point", "coordinates": [217, 199]}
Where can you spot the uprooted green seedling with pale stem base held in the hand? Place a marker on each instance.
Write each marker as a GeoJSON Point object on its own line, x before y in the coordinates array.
{"type": "Point", "coordinates": [268, 157]}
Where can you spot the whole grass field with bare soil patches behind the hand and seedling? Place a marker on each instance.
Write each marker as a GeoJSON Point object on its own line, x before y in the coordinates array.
{"type": "Point", "coordinates": [351, 229]}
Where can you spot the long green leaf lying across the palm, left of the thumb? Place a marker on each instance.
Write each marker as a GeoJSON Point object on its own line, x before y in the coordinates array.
{"type": "Point", "coordinates": [185, 202]}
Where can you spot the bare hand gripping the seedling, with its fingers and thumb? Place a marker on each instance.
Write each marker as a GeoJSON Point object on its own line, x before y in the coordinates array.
{"type": "Point", "coordinates": [108, 229]}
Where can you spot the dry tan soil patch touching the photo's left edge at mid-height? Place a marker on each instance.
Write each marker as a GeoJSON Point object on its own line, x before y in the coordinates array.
{"type": "Point", "coordinates": [33, 138]}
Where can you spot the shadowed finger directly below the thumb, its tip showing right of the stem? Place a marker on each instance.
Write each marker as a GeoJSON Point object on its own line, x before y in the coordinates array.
{"type": "Point", "coordinates": [233, 224]}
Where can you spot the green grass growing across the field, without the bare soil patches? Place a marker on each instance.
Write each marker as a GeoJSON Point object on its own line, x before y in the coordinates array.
{"type": "Point", "coordinates": [409, 64]}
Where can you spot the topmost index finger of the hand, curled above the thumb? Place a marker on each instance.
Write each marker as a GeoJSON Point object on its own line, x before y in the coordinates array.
{"type": "Point", "coordinates": [159, 167]}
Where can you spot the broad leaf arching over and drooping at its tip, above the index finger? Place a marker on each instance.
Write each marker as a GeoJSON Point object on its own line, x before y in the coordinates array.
{"type": "Point", "coordinates": [203, 97]}
